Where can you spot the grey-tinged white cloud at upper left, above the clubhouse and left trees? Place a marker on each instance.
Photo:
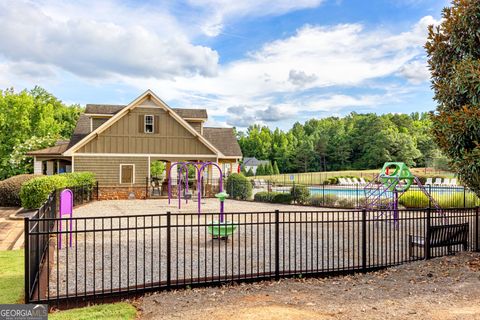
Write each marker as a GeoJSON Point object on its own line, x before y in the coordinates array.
{"type": "Point", "coordinates": [97, 48]}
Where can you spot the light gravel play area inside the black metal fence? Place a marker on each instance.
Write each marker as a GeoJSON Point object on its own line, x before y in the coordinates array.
{"type": "Point", "coordinates": [123, 244]}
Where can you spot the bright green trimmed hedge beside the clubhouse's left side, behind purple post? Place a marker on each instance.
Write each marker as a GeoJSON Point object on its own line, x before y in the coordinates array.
{"type": "Point", "coordinates": [36, 191]}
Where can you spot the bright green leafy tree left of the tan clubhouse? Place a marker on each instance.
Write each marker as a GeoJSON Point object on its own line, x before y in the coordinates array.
{"type": "Point", "coordinates": [35, 116]}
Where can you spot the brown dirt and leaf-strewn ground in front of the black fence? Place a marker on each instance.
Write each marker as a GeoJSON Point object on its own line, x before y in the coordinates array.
{"type": "Point", "coordinates": [442, 288]}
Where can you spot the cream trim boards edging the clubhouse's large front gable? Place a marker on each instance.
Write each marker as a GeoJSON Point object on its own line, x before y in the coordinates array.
{"type": "Point", "coordinates": [74, 147]}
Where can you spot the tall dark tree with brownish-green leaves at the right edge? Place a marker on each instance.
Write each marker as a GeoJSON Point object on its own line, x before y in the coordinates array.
{"type": "Point", "coordinates": [453, 50]}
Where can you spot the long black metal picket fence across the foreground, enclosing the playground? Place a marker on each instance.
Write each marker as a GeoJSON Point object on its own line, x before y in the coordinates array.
{"type": "Point", "coordinates": [124, 255]}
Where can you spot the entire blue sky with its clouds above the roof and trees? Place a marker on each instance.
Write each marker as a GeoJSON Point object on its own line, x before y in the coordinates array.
{"type": "Point", "coordinates": [264, 61]}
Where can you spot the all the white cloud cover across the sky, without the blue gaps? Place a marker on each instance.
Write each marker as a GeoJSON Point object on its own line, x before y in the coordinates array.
{"type": "Point", "coordinates": [148, 47]}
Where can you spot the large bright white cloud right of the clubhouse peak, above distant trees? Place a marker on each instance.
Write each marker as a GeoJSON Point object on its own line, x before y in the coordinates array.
{"type": "Point", "coordinates": [324, 57]}
